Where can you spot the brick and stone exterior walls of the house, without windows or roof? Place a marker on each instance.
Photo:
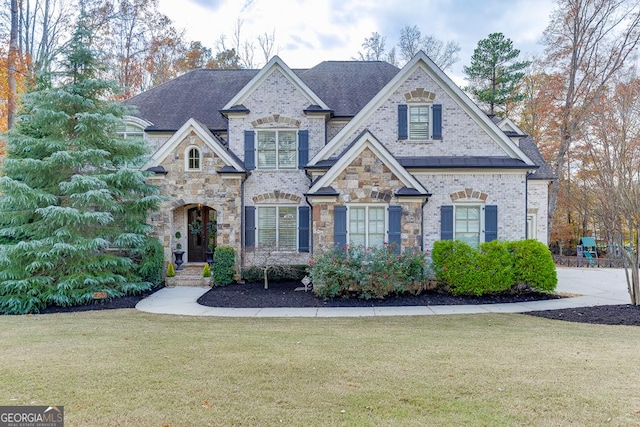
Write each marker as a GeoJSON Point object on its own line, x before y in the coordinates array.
{"type": "Point", "coordinates": [373, 178]}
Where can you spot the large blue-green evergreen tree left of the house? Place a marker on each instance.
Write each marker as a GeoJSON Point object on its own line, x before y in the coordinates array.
{"type": "Point", "coordinates": [72, 214]}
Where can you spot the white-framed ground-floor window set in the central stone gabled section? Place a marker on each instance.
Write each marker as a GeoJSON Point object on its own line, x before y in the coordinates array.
{"type": "Point", "coordinates": [367, 225]}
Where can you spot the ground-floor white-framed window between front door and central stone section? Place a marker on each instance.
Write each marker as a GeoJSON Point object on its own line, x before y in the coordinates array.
{"type": "Point", "coordinates": [277, 227]}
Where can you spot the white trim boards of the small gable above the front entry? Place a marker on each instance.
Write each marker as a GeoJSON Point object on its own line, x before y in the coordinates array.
{"type": "Point", "coordinates": [207, 137]}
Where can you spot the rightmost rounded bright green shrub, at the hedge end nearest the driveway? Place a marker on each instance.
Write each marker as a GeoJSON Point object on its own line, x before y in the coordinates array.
{"type": "Point", "coordinates": [534, 266]}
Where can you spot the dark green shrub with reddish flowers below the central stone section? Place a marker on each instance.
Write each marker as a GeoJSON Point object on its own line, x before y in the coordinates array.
{"type": "Point", "coordinates": [367, 272]}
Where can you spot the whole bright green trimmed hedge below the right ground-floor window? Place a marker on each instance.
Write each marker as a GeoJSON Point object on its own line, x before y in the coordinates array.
{"type": "Point", "coordinates": [495, 267]}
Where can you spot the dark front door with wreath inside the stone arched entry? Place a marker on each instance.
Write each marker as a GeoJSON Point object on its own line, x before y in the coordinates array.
{"type": "Point", "coordinates": [202, 226]}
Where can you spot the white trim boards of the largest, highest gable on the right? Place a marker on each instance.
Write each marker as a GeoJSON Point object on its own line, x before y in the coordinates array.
{"type": "Point", "coordinates": [422, 61]}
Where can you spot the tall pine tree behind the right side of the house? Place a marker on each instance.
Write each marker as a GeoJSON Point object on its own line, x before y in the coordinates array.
{"type": "Point", "coordinates": [494, 73]}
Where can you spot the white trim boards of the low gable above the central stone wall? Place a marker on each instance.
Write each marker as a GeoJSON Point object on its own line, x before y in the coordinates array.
{"type": "Point", "coordinates": [364, 141]}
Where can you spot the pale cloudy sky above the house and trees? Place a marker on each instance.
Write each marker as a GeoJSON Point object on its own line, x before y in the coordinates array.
{"type": "Point", "coordinates": [308, 32]}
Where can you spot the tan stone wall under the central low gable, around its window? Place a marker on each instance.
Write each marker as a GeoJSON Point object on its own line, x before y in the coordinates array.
{"type": "Point", "coordinates": [367, 180]}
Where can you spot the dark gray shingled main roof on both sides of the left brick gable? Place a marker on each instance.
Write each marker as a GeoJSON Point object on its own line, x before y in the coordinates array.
{"type": "Point", "coordinates": [345, 86]}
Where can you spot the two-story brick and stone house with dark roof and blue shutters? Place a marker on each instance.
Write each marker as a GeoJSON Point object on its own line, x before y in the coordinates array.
{"type": "Point", "coordinates": [280, 163]}
